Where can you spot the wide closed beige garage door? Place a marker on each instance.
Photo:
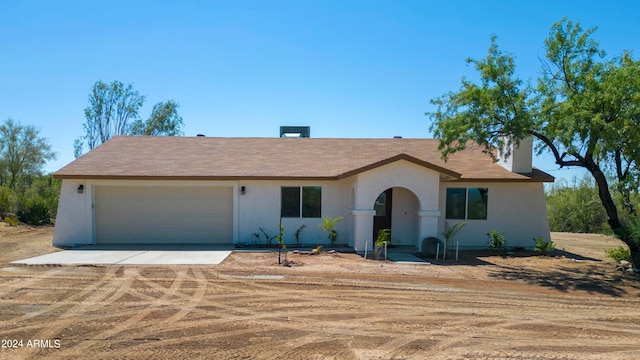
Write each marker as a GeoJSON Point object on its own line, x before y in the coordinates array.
{"type": "Point", "coordinates": [162, 215]}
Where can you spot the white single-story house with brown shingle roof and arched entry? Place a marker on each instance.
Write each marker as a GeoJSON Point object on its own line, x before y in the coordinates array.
{"type": "Point", "coordinates": [208, 190]}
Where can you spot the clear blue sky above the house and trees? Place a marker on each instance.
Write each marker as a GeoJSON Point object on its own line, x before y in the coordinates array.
{"type": "Point", "coordinates": [243, 68]}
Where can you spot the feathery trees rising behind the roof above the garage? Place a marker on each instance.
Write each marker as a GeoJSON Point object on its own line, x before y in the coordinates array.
{"type": "Point", "coordinates": [114, 110]}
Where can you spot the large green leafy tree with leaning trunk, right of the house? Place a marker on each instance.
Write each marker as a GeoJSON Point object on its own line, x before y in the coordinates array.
{"type": "Point", "coordinates": [584, 109]}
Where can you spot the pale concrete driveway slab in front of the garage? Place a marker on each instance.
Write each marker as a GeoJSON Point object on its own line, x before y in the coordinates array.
{"type": "Point", "coordinates": [134, 255]}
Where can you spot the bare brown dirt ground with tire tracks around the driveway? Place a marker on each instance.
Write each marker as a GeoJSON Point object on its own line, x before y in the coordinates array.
{"type": "Point", "coordinates": [574, 305]}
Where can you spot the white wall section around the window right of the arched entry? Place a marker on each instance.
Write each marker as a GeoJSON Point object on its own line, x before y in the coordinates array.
{"type": "Point", "coordinates": [518, 209]}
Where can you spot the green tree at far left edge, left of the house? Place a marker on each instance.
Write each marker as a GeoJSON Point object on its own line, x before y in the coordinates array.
{"type": "Point", "coordinates": [22, 152]}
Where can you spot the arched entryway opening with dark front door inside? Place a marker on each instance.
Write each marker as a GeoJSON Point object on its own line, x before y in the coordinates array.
{"type": "Point", "coordinates": [397, 209]}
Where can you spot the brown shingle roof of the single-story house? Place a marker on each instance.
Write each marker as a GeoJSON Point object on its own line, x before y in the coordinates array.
{"type": "Point", "coordinates": [132, 157]}
